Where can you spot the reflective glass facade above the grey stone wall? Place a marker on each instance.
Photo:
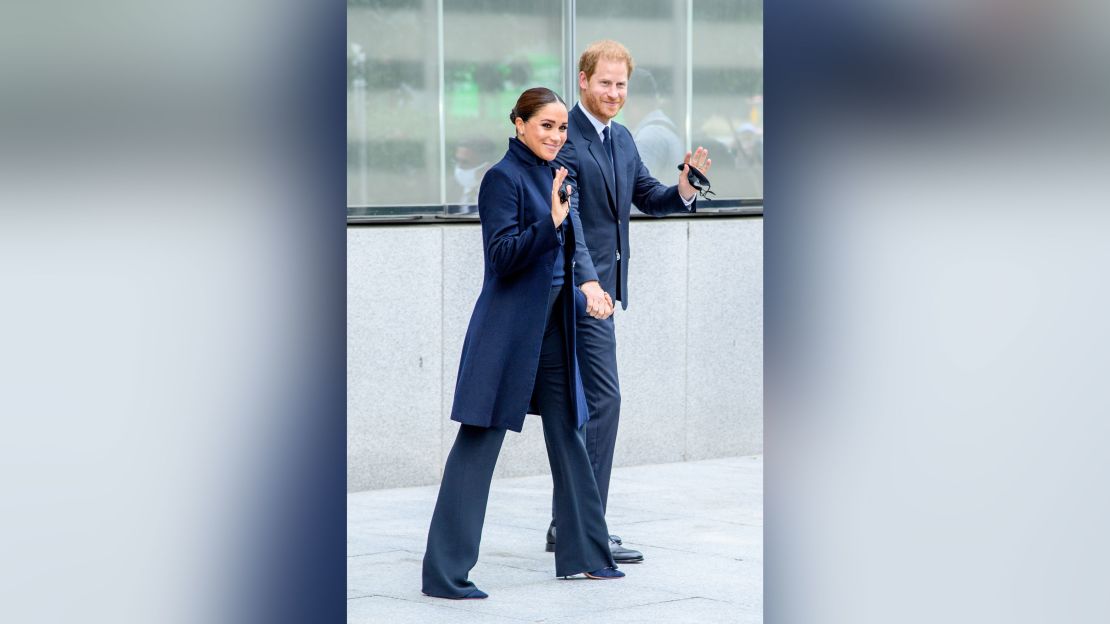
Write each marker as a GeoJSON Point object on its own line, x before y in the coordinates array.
{"type": "Point", "coordinates": [431, 83]}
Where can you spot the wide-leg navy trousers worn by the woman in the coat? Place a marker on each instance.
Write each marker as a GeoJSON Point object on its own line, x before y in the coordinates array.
{"type": "Point", "coordinates": [456, 535]}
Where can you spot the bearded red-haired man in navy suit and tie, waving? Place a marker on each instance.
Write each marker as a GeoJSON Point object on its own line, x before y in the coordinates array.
{"type": "Point", "coordinates": [609, 177]}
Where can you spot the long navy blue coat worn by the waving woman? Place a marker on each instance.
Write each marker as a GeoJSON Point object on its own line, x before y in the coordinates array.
{"type": "Point", "coordinates": [501, 353]}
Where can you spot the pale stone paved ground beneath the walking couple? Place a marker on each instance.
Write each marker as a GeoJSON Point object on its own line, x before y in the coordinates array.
{"type": "Point", "coordinates": [700, 526]}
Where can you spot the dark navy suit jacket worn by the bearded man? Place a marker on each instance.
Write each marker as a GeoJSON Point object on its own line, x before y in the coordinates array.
{"type": "Point", "coordinates": [603, 206]}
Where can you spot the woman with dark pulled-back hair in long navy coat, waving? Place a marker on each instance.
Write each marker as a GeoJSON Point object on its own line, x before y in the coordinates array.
{"type": "Point", "coordinates": [518, 359]}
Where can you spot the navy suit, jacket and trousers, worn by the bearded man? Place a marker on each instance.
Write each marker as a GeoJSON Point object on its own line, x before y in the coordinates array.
{"type": "Point", "coordinates": [606, 192]}
